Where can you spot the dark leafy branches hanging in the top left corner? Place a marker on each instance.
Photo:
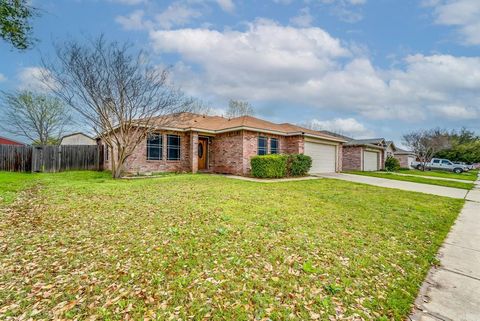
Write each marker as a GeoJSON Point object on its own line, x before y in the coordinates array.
{"type": "Point", "coordinates": [15, 25]}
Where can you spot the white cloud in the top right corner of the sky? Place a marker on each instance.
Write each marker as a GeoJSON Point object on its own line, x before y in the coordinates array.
{"type": "Point", "coordinates": [463, 14]}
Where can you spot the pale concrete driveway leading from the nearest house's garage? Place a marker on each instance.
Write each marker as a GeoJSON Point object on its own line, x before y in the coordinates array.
{"type": "Point", "coordinates": [406, 186]}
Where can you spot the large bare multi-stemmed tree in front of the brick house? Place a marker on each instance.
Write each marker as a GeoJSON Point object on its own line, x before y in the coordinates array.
{"type": "Point", "coordinates": [117, 91]}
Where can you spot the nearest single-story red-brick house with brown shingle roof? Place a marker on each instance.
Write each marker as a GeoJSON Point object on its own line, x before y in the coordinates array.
{"type": "Point", "coordinates": [187, 142]}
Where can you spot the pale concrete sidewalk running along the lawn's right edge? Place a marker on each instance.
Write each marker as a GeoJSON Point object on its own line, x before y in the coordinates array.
{"type": "Point", "coordinates": [452, 290]}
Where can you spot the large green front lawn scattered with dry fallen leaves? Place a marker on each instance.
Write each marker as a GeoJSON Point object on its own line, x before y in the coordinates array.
{"type": "Point", "coordinates": [78, 244]}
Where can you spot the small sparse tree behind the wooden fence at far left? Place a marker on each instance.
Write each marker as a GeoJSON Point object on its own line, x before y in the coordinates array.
{"type": "Point", "coordinates": [38, 117]}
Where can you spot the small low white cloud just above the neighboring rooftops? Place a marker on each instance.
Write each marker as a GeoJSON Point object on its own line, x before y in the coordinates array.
{"type": "Point", "coordinates": [344, 126]}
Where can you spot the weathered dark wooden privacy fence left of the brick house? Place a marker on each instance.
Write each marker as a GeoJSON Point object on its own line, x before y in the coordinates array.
{"type": "Point", "coordinates": [50, 158]}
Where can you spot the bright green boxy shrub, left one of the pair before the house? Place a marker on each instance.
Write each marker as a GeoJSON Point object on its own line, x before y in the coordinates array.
{"type": "Point", "coordinates": [269, 166]}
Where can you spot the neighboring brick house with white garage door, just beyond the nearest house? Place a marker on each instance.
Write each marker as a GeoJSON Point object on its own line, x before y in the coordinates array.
{"type": "Point", "coordinates": [364, 154]}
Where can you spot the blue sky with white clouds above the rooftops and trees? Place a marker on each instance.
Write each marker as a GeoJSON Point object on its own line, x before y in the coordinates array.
{"type": "Point", "coordinates": [360, 67]}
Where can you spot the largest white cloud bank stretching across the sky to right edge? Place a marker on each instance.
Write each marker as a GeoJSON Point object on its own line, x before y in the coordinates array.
{"type": "Point", "coordinates": [282, 64]}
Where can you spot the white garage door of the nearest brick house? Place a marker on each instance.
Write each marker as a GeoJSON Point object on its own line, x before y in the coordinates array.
{"type": "Point", "coordinates": [323, 157]}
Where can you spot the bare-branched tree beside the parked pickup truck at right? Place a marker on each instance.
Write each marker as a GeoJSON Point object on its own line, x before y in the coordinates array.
{"type": "Point", "coordinates": [426, 143]}
